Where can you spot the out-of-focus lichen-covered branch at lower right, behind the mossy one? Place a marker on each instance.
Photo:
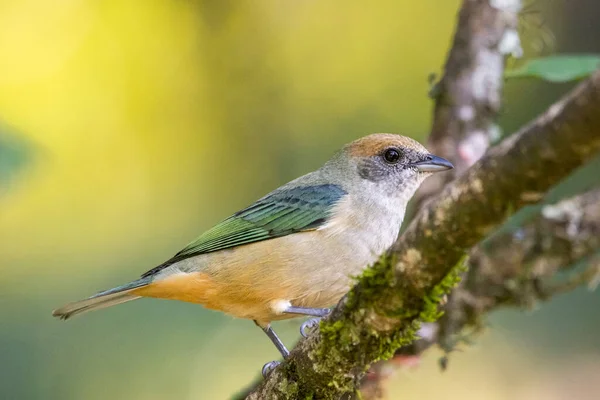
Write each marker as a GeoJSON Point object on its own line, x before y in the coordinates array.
{"type": "Point", "coordinates": [518, 268]}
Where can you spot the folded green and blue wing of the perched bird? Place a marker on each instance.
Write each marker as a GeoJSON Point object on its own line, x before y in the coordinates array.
{"type": "Point", "coordinates": [279, 214]}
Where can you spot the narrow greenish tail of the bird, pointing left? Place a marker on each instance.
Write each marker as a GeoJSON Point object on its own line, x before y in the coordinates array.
{"type": "Point", "coordinates": [107, 298]}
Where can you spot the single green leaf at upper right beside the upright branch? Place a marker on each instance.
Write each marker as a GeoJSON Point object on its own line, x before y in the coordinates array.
{"type": "Point", "coordinates": [560, 68]}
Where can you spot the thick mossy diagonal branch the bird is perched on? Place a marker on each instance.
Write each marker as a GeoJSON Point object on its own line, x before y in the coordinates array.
{"type": "Point", "coordinates": [382, 312]}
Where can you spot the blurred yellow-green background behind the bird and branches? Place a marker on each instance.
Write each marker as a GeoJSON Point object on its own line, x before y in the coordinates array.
{"type": "Point", "coordinates": [129, 127]}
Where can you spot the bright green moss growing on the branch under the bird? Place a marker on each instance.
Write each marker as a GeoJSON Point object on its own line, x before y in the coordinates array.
{"type": "Point", "coordinates": [346, 343]}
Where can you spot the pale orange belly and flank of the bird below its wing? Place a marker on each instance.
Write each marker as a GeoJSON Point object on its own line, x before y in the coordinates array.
{"type": "Point", "coordinates": [246, 281]}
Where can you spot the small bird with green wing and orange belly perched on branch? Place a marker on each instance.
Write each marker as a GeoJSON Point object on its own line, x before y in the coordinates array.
{"type": "Point", "coordinates": [294, 251]}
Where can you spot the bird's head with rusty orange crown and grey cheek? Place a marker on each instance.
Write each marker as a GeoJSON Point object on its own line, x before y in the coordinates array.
{"type": "Point", "coordinates": [388, 164]}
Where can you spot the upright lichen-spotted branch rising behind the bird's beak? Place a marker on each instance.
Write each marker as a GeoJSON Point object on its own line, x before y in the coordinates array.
{"type": "Point", "coordinates": [468, 97]}
